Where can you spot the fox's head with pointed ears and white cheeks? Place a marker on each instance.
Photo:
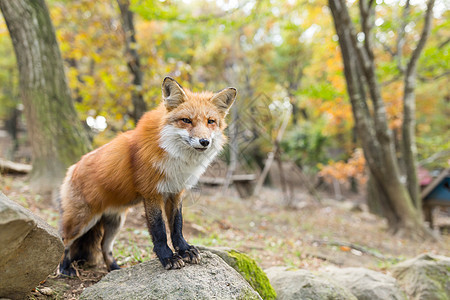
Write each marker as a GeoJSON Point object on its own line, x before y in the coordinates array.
{"type": "Point", "coordinates": [195, 121]}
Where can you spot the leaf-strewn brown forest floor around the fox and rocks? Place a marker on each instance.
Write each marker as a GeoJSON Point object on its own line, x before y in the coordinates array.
{"type": "Point", "coordinates": [309, 235]}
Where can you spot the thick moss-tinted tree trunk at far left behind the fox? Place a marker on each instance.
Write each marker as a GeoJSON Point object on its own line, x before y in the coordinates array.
{"type": "Point", "coordinates": [56, 134]}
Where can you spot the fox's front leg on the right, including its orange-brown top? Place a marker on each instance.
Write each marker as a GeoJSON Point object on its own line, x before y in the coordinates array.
{"type": "Point", "coordinates": [174, 216]}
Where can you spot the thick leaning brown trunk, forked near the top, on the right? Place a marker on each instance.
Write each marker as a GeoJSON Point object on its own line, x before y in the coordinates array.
{"type": "Point", "coordinates": [372, 127]}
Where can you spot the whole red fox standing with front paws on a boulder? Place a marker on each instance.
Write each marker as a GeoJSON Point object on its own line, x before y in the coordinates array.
{"type": "Point", "coordinates": [165, 154]}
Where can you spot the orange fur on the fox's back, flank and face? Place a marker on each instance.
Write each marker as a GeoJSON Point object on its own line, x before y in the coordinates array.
{"type": "Point", "coordinates": [130, 167]}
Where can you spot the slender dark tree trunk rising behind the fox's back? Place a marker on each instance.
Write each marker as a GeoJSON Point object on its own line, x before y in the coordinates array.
{"type": "Point", "coordinates": [133, 61]}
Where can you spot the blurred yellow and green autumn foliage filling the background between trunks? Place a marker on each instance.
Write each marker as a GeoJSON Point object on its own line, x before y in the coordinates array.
{"type": "Point", "coordinates": [273, 50]}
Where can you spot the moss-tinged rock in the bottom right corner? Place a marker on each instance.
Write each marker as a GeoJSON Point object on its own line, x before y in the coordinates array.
{"type": "Point", "coordinates": [426, 277]}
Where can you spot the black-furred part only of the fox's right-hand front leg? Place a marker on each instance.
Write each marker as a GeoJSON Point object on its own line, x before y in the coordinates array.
{"type": "Point", "coordinates": [188, 252]}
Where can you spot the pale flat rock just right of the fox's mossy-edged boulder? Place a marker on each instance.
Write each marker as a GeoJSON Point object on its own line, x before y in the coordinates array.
{"type": "Point", "coordinates": [305, 285]}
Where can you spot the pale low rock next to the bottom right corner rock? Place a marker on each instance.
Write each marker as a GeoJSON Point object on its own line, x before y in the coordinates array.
{"type": "Point", "coordinates": [366, 284]}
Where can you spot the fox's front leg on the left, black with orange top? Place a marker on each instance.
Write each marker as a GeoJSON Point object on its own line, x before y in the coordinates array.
{"type": "Point", "coordinates": [157, 228]}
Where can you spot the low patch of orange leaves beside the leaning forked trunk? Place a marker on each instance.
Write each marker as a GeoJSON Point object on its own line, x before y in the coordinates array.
{"type": "Point", "coordinates": [343, 171]}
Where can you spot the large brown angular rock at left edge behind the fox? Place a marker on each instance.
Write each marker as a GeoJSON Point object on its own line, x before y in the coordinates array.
{"type": "Point", "coordinates": [30, 249]}
